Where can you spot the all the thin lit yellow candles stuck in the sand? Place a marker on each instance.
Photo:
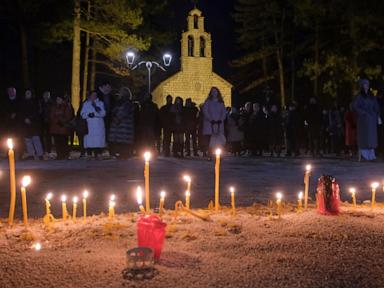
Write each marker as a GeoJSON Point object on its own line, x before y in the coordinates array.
{"type": "Point", "coordinates": [302, 196]}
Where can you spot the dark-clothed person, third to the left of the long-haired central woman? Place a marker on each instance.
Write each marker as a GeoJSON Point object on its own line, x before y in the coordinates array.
{"type": "Point", "coordinates": [166, 121]}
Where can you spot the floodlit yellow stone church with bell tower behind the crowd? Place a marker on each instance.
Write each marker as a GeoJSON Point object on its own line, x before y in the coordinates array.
{"type": "Point", "coordinates": [196, 76]}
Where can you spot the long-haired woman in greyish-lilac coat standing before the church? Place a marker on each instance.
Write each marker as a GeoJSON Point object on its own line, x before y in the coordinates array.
{"type": "Point", "coordinates": [214, 114]}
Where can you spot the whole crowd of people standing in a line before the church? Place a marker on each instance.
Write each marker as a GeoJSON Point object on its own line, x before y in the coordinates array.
{"type": "Point", "coordinates": [114, 122]}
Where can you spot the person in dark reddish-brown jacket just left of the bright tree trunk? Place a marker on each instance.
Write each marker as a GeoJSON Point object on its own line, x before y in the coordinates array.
{"type": "Point", "coordinates": [60, 116]}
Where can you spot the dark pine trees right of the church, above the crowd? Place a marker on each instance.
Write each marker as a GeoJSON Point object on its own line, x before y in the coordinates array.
{"type": "Point", "coordinates": [305, 48]}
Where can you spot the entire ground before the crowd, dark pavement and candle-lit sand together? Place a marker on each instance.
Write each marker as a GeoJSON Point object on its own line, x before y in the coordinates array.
{"type": "Point", "coordinates": [249, 250]}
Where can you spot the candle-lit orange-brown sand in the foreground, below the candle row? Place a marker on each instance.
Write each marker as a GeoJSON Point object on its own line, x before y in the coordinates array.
{"type": "Point", "coordinates": [249, 250]}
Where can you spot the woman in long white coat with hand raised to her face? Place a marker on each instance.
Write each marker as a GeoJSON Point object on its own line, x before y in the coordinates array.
{"type": "Point", "coordinates": [94, 112]}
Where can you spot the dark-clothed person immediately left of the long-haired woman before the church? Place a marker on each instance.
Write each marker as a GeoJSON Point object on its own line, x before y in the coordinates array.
{"type": "Point", "coordinates": [190, 120]}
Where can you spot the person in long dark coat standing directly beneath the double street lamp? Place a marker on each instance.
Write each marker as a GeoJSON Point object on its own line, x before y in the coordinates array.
{"type": "Point", "coordinates": [149, 124]}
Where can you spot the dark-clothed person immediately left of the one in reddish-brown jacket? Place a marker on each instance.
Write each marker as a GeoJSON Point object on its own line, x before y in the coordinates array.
{"type": "Point", "coordinates": [45, 108]}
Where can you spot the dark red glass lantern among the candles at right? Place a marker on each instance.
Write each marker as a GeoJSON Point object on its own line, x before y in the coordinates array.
{"type": "Point", "coordinates": [328, 196]}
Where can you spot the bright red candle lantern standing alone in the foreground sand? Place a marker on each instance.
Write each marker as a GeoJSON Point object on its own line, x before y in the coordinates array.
{"type": "Point", "coordinates": [151, 233]}
